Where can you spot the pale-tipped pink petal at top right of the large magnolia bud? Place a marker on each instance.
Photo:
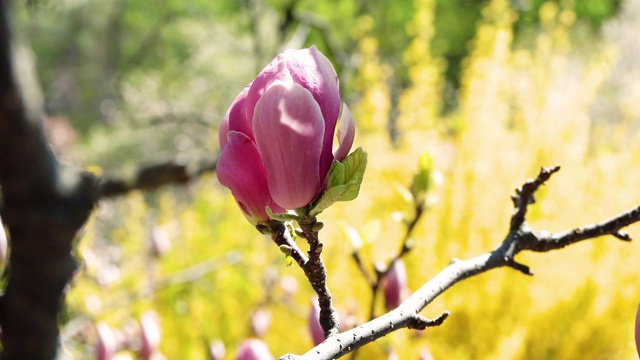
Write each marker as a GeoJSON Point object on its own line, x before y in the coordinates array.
{"type": "Point", "coordinates": [311, 69]}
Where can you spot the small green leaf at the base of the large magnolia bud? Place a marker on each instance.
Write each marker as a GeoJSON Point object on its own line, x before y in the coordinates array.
{"type": "Point", "coordinates": [344, 182]}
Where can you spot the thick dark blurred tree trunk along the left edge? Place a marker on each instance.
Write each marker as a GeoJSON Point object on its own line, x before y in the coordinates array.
{"type": "Point", "coordinates": [44, 206]}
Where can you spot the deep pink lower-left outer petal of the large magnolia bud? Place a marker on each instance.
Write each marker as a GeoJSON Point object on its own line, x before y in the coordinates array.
{"type": "Point", "coordinates": [240, 168]}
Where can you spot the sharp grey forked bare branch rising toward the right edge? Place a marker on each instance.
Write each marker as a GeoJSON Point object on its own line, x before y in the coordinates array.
{"type": "Point", "coordinates": [520, 237]}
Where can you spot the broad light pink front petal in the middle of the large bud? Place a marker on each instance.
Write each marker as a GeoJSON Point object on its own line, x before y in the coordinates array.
{"type": "Point", "coordinates": [289, 129]}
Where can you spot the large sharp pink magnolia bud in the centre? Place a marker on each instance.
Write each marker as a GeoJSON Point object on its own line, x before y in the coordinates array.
{"type": "Point", "coordinates": [277, 136]}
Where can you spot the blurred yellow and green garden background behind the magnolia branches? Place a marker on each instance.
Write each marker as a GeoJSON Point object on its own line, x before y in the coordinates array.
{"type": "Point", "coordinates": [491, 90]}
